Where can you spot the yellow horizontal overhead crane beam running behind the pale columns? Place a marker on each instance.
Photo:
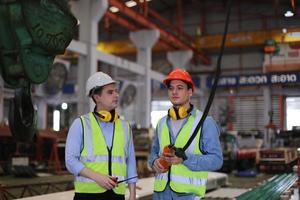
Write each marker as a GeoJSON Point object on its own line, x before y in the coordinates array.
{"type": "Point", "coordinates": [214, 41]}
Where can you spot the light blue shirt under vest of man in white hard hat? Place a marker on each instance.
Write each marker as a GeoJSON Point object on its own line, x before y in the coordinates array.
{"type": "Point", "coordinates": [74, 146]}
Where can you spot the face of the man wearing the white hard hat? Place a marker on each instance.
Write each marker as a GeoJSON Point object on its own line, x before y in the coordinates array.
{"type": "Point", "coordinates": [108, 99]}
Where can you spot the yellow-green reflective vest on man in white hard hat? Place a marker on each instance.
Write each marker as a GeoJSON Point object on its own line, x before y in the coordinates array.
{"type": "Point", "coordinates": [96, 157]}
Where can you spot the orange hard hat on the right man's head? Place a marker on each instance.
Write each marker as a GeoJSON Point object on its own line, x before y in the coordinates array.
{"type": "Point", "coordinates": [180, 74]}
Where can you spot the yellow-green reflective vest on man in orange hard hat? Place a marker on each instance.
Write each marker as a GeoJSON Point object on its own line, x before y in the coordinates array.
{"type": "Point", "coordinates": [180, 178]}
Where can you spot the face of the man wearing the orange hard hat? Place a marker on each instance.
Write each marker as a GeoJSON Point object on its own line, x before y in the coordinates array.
{"type": "Point", "coordinates": [178, 93]}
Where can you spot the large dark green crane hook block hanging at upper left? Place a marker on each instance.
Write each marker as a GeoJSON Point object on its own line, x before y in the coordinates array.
{"type": "Point", "coordinates": [32, 33]}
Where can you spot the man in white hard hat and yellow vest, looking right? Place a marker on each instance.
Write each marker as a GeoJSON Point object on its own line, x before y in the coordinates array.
{"type": "Point", "coordinates": [99, 147]}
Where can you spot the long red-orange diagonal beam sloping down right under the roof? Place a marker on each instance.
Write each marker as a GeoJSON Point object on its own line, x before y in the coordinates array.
{"type": "Point", "coordinates": [171, 38]}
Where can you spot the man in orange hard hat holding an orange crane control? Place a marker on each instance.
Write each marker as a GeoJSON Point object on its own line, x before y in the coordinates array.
{"type": "Point", "coordinates": [182, 174]}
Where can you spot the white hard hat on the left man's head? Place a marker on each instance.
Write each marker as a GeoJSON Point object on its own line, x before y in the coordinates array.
{"type": "Point", "coordinates": [98, 79]}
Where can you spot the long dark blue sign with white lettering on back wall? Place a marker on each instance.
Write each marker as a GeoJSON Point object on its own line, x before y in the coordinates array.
{"type": "Point", "coordinates": [256, 79]}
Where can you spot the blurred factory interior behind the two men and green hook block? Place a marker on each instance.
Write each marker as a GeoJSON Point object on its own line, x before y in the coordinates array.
{"type": "Point", "coordinates": [138, 42]}
